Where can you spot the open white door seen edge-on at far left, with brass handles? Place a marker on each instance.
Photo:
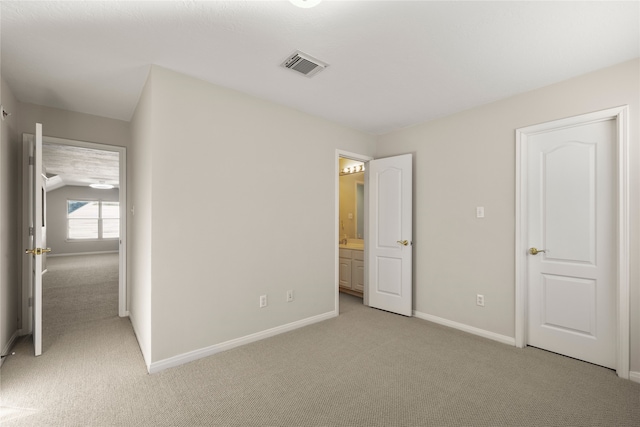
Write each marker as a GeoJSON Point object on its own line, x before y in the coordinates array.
{"type": "Point", "coordinates": [36, 225]}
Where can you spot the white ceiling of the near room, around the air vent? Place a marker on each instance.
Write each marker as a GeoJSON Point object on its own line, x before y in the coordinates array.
{"type": "Point", "coordinates": [392, 63]}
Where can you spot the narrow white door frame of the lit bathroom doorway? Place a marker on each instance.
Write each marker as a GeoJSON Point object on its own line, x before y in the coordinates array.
{"type": "Point", "coordinates": [360, 158]}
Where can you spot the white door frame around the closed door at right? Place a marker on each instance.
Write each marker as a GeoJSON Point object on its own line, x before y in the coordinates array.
{"type": "Point", "coordinates": [620, 115]}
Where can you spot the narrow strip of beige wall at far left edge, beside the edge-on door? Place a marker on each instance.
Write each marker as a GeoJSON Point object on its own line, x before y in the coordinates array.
{"type": "Point", "coordinates": [10, 253]}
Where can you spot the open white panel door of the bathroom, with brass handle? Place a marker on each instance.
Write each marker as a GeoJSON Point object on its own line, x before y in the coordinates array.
{"type": "Point", "coordinates": [389, 237]}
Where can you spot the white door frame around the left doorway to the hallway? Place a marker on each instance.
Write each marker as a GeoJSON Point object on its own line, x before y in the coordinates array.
{"type": "Point", "coordinates": [122, 255]}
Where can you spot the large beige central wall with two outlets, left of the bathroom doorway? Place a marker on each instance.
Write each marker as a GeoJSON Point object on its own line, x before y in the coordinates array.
{"type": "Point", "coordinates": [231, 217]}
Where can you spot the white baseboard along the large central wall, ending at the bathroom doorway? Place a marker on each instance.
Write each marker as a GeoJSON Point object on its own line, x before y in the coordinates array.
{"type": "Point", "coordinates": [181, 359]}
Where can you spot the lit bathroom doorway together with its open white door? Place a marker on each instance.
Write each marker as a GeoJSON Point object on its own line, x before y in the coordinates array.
{"type": "Point", "coordinates": [378, 266]}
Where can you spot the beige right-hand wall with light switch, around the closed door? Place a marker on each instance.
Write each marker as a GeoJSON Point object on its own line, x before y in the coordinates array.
{"type": "Point", "coordinates": [467, 160]}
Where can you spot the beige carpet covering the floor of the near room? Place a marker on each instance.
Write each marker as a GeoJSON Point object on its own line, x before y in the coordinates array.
{"type": "Point", "coordinates": [364, 368]}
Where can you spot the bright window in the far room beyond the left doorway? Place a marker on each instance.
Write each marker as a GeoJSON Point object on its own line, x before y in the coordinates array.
{"type": "Point", "coordinates": [93, 220]}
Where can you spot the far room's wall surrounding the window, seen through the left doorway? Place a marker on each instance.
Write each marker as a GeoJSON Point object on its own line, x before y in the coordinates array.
{"type": "Point", "coordinates": [57, 220]}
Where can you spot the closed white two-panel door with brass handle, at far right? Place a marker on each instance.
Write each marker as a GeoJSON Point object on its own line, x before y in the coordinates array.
{"type": "Point", "coordinates": [571, 198]}
